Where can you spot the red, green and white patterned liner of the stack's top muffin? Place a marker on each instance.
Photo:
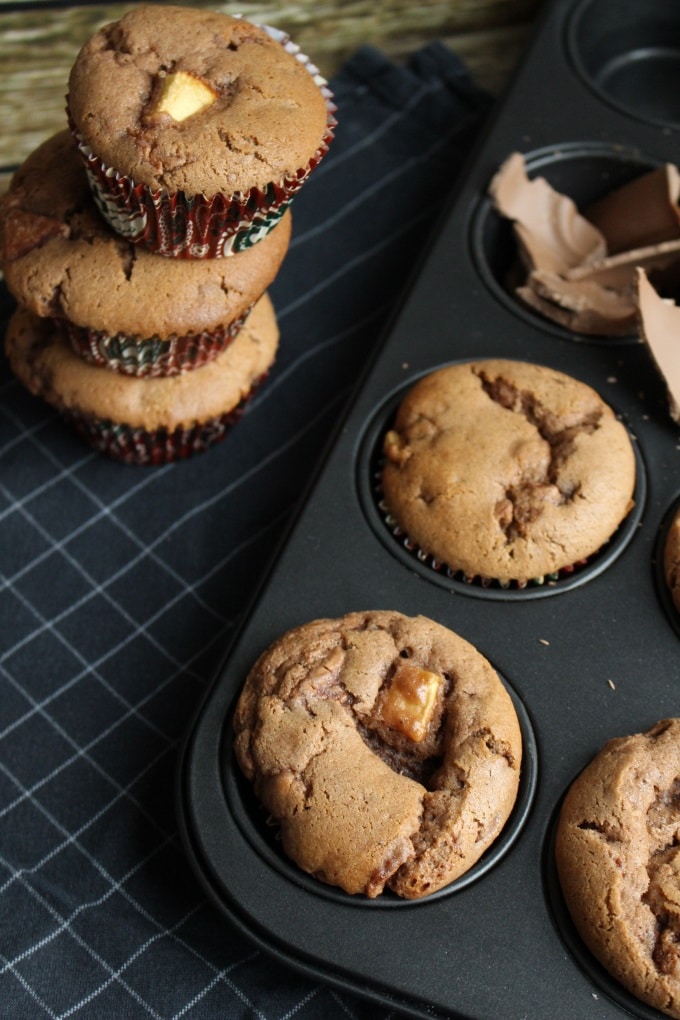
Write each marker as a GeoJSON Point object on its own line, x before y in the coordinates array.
{"type": "Point", "coordinates": [184, 226]}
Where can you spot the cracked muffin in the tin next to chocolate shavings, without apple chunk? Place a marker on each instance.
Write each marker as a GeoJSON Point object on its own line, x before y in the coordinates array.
{"type": "Point", "coordinates": [507, 472]}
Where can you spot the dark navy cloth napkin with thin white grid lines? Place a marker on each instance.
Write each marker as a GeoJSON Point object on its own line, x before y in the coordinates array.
{"type": "Point", "coordinates": [120, 588]}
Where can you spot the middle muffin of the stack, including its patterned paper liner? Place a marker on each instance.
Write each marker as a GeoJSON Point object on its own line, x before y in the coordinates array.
{"type": "Point", "coordinates": [122, 308]}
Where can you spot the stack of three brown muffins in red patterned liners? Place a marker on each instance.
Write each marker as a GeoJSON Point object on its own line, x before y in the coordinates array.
{"type": "Point", "coordinates": [140, 242]}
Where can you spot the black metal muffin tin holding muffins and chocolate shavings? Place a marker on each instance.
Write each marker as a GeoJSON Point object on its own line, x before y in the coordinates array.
{"type": "Point", "coordinates": [587, 657]}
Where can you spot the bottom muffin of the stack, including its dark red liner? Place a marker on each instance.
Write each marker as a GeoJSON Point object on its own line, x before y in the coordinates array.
{"type": "Point", "coordinates": [144, 421]}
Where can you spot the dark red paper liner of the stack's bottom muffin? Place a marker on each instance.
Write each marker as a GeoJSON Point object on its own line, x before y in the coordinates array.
{"type": "Point", "coordinates": [160, 446]}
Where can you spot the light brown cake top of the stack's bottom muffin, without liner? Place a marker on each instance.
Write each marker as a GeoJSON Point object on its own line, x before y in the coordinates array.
{"type": "Point", "coordinates": [46, 365]}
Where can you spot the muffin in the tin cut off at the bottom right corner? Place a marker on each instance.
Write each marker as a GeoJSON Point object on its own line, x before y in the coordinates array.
{"type": "Point", "coordinates": [617, 858]}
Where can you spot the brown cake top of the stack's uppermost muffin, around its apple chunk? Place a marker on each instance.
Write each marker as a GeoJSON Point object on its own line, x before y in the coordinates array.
{"type": "Point", "coordinates": [267, 120]}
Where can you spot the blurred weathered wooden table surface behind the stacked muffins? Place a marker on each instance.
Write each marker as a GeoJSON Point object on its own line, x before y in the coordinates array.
{"type": "Point", "coordinates": [39, 42]}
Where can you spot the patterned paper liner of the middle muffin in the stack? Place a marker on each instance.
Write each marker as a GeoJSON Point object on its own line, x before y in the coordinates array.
{"type": "Point", "coordinates": [150, 358]}
